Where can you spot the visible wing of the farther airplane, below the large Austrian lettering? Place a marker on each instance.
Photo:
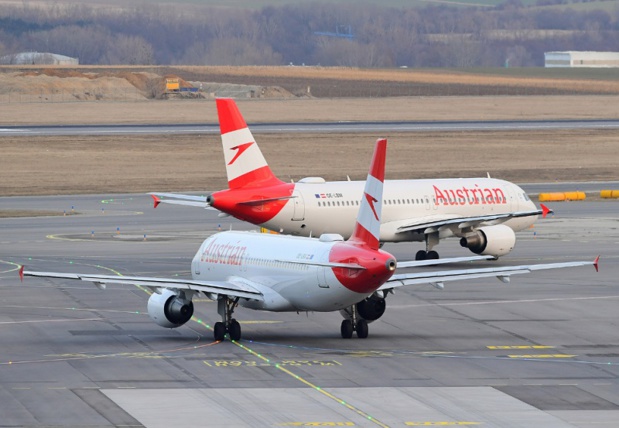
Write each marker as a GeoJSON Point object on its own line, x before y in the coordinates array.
{"type": "Point", "coordinates": [421, 225]}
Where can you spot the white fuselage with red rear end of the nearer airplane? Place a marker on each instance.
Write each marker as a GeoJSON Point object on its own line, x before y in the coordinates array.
{"type": "Point", "coordinates": [292, 273]}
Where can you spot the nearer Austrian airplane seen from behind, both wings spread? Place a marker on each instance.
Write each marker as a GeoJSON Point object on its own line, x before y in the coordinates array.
{"type": "Point", "coordinates": [283, 273]}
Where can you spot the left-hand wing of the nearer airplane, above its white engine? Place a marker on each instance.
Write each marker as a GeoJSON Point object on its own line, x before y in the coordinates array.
{"type": "Point", "coordinates": [229, 288]}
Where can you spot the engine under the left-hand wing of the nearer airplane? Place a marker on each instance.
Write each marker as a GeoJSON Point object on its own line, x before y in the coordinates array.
{"type": "Point", "coordinates": [169, 309]}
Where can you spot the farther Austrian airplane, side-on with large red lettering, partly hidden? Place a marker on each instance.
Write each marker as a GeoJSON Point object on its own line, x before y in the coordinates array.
{"type": "Point", "coordinates": [484, 213]}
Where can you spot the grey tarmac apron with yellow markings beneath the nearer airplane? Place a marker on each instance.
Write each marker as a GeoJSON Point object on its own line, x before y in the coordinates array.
{"type": "Point", "coordinates": [541, 351]}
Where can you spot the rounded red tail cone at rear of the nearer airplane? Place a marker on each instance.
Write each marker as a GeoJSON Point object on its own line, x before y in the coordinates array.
{"type": "Point", "coordinates": [378, 267]}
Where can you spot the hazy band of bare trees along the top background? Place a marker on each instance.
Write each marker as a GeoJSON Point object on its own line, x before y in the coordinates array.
{"type": "Point", "coordinates": [360, 35]}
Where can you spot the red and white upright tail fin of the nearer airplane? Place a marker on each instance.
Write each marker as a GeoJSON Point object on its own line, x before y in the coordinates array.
{"type": "Point", "coordinates": [367, 228]}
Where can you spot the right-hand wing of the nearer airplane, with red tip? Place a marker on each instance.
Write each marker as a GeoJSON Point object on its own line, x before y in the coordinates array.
{"type": "Point", "coordinates": [503, 273]}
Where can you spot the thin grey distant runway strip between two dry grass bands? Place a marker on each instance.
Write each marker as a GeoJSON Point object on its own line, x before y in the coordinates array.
{"type": "Point", "coordinates": [331, 127]}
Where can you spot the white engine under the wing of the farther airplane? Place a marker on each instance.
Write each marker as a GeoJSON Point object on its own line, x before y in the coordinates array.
{"type": "Point", "coordinates": [490, 240]}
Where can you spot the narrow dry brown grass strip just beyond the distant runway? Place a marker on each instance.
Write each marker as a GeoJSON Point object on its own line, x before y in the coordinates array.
{"type": "Point", "coordinates": [317, 110]}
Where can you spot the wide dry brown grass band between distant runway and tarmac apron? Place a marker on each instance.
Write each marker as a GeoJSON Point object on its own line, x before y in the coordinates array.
{"type": "Point", "coordinates": [117, 164]}
